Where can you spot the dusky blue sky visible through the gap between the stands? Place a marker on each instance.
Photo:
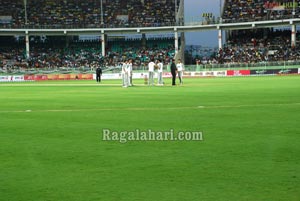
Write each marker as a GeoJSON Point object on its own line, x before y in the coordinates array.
{"type": "Point", "coordinates": [193, 11]}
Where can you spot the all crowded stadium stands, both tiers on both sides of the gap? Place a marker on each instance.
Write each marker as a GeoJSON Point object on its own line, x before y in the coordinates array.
{"type": "Point", "coordinates": [261, 45]}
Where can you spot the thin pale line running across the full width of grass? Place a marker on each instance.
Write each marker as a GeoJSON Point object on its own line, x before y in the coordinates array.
{"type": "Point", "coordinates": [202, 107]}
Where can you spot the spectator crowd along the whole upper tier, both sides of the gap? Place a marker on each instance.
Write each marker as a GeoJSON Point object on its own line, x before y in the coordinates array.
{"type": "Point", "coordinates": [129, 13]}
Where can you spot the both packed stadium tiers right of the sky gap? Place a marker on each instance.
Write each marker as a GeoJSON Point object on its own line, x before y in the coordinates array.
{"type": "Point", "coordinates": [260, 45]}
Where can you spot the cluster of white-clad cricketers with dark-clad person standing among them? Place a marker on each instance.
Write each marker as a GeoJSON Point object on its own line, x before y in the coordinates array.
{"type": "Point", "coordinates": [176, 69]}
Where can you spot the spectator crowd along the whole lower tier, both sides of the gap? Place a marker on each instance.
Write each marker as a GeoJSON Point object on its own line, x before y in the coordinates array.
{"type": "Point", "coordinates": [242, 47]}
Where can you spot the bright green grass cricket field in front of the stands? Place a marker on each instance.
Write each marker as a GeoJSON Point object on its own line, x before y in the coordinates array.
{"type": "Point", "coordinates": [51, 146]}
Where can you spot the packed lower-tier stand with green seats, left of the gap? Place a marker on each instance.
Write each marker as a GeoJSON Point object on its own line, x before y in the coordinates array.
{"type": "Point", "coordinates": [57, 53]}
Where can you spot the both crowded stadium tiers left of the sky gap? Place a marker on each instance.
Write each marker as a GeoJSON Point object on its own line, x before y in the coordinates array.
{"type": "Point", "coordinates": [60, 52]}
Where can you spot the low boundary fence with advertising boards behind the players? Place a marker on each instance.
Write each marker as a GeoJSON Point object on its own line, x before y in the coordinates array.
{"type": "Point", "coordinates": [144, 68]}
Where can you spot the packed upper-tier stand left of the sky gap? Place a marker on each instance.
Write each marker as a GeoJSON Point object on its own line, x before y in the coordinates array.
{"type": "Point", "coordinates": [86, 13]}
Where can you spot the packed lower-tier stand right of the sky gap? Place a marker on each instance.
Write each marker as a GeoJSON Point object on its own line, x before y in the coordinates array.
{"type": "Point", "coordinates": [256, 46]}
